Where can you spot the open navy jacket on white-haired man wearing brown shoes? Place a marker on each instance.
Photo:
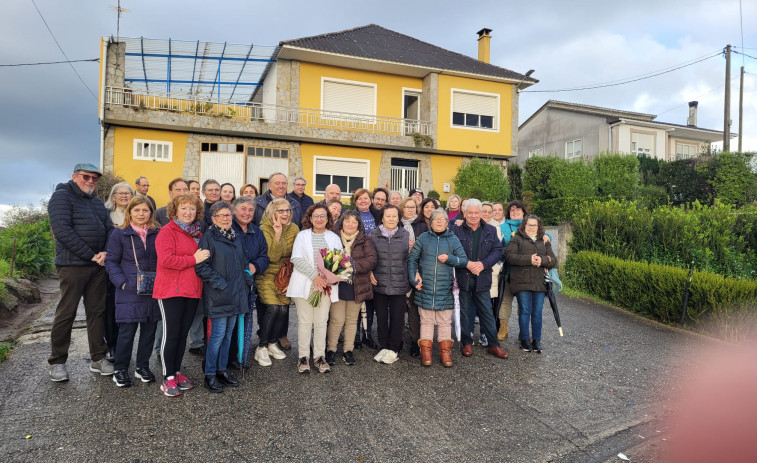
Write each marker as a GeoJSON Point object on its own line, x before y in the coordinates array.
{"type": "Point", "coordinates": [489, 253]}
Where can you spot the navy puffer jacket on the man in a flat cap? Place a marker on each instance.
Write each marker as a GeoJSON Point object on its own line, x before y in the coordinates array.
{"type": "Point", "coordinates": [80, 224]}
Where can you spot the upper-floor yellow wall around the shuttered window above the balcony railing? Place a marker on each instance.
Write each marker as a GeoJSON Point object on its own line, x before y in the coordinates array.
{"type": "Point", "coordinates": [388, 86]}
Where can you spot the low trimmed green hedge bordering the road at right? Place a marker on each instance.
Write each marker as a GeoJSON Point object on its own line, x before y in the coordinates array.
{"type": "Point", "coordinates": [656, 290]}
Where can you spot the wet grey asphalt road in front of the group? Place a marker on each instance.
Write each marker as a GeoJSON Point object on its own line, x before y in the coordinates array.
{"type": "Point", "coordinates": [590, 395]}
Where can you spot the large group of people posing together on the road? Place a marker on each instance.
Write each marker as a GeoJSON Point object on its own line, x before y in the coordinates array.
{"type": "Point", "coordinates": [196, 270]}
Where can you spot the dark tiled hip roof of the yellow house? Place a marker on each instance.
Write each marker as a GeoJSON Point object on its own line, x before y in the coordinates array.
{"type": "Point", "coordinates": [375, 42]}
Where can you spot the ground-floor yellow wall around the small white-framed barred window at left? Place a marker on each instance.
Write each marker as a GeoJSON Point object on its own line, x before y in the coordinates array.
{"type": "Point", "coordinates": [157, 172]}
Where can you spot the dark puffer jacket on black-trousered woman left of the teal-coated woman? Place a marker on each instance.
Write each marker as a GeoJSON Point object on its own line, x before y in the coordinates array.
{"type": "Point", "coordinates": [391, 266]}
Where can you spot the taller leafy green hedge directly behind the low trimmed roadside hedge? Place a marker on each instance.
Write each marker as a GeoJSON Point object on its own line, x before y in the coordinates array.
{"type": "Point", "coordinates": [708, 237]}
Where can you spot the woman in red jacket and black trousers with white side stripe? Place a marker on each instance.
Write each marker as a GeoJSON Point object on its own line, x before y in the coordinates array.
{"type": "Point", "coordinates": [178, 289]}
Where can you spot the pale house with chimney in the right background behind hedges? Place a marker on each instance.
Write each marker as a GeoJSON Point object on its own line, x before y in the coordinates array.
{"type": "Point", "coordinates": [571, 130]}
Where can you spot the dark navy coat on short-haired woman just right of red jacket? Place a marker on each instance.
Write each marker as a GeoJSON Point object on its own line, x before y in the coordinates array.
{"type": "Point", "coordinates": [225, 286]}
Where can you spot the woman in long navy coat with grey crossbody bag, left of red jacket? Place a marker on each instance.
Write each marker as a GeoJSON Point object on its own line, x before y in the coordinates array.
{"type": "Point", "coordinates": [131, 248]}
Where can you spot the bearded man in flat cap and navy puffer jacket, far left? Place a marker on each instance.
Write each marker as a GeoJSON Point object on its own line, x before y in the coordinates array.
{"type": "Point", "coordinates": [81, 225]}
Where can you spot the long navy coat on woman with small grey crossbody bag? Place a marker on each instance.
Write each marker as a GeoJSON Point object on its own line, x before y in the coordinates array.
{"type": "Point", "coordinates": [130, 307]}
